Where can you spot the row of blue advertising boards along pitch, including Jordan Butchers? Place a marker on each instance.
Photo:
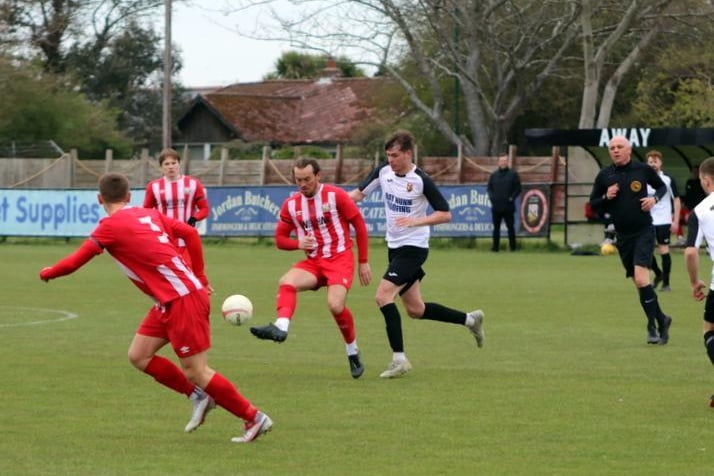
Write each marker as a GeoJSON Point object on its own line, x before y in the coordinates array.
{"type": "Point", "coordinates": [253, 211]}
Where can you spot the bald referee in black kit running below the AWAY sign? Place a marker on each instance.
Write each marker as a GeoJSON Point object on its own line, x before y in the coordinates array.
{"type": "Point", "coordinates": [621, 190]}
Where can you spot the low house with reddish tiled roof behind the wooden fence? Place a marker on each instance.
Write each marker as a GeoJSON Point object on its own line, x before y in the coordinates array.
{"type": "Point", "coordinates": [324, 112]}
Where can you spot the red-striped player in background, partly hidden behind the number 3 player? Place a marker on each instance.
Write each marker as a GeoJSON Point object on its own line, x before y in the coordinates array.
{"type": "Point", "coordinates": [180, 197]}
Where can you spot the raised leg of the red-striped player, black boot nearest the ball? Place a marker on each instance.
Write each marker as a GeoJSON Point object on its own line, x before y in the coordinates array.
{"type": "Point", "coordinates": [298, 278]}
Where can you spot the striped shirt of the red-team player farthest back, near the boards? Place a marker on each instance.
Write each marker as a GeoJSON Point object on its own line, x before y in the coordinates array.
{"type": "Point", "coordinates": [181, 199]}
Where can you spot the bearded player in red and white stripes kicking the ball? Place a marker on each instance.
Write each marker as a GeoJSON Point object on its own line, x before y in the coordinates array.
{"type": "Point", "coordinates": [320, 216]}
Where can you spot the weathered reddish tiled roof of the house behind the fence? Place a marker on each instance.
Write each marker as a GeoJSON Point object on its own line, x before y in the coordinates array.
{"type": "Point", "coordinates": [326, 110]}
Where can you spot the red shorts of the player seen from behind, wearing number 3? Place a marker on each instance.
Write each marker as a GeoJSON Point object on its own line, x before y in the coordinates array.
{"type": "Point", "coordinates": [184, 322]}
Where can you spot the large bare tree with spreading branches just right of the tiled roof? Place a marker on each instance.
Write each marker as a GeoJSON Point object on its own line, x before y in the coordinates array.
{"type": "Point", "coordinates": [496, 54]}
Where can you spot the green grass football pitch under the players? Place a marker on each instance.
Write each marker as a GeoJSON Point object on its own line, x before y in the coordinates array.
{"type": "Point", "coordinates": [564, 385]}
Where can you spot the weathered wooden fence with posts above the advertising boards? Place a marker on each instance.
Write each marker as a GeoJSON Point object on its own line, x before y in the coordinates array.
{"type": "Point", "coordinates": [68, 171]}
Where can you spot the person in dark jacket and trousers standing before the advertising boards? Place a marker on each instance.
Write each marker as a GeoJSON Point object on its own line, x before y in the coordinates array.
{"type": "Point", "coordinates": [504, 186]}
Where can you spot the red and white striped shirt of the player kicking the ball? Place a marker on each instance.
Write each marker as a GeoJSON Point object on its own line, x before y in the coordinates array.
{"type": "Point", "coordinates": [326, 215]}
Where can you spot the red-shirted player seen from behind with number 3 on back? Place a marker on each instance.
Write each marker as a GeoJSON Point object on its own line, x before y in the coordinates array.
{"type": "Point", "coordinates": [142, 242]}
